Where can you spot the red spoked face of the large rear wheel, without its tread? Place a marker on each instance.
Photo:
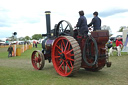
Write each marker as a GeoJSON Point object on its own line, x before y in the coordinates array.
{"type": "Point", "coordinates": [63, 56]}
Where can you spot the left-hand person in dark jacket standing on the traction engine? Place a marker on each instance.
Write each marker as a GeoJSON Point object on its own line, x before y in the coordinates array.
{"type": "Point", "coordinates": [82, 24]}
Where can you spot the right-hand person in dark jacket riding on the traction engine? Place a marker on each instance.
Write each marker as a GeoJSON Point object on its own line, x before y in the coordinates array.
{"type": "Point", "coordinates": [96, 22]}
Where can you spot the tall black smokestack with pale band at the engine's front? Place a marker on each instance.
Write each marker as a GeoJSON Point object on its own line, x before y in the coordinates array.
{"type": "Point", "coordinates": [48, 24]}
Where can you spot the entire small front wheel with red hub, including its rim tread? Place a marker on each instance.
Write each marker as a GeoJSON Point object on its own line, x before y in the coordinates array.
{"type": "Point", "coordinates": [38, 60]}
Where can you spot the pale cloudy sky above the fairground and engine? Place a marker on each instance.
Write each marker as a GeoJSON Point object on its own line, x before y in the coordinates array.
{"type": "Point", "coordinates": [27, 17]}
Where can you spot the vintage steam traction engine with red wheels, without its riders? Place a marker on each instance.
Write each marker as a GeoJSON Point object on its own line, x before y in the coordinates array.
{"type": "Point", "coordinates": [68, 51]}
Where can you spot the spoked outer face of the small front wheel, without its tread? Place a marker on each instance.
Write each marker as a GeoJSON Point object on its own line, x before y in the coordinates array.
{"type": "Point", "coordinates": [36, 60]}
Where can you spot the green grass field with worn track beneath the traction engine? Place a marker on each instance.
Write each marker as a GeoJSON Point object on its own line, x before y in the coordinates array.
{"type": "Point", "coordinates": [19, 71]}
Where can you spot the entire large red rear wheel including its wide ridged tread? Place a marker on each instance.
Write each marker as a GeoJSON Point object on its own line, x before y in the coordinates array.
{"type": "Point", "coordinates": [66, 56]}
